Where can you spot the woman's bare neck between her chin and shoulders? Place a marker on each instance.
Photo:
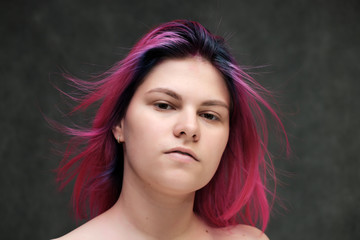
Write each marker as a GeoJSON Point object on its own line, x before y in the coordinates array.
{"type": "Point", "coordinates": [151, 214]}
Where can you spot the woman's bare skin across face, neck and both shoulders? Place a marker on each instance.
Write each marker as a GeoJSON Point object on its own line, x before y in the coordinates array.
{"type": "Point", "coordinates": [159, 186]}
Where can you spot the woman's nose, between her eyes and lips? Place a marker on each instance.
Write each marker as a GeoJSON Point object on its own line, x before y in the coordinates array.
{"type": "Point", "coordinates": [187, 126]}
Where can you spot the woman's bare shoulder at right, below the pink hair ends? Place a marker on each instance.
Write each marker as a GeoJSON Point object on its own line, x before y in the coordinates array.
{"type": "Point", "coordinates": [240, 232]}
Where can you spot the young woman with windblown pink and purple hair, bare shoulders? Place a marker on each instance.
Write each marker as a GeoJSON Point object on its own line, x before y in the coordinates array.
{"type": "Point", "coordinates": [178, 146]}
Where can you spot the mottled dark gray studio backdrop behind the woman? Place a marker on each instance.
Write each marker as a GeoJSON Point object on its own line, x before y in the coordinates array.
{"type": "Point", "coordinates": [312, 51]}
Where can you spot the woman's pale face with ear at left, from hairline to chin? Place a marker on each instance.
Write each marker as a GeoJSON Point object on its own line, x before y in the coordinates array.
{"type": "Point", "coordinates": [176, 126]}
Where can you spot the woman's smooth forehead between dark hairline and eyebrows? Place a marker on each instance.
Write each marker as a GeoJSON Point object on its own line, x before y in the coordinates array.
{"type": "Point", "coordinates": [187, 76]}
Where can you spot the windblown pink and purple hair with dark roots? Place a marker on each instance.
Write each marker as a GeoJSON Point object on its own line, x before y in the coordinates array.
{"type": "Point", "coordinates": [238, 192]}
